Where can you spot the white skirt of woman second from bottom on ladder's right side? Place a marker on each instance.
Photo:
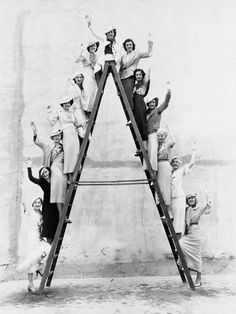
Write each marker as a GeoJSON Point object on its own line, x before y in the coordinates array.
{"type": "Point", "coordinates": [178, 205]}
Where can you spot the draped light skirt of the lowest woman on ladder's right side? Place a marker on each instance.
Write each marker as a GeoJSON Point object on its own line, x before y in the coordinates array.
{"type": "Point", "coordinates": [190, 245]}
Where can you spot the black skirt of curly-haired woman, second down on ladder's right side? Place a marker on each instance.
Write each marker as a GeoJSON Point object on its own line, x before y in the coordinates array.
{"type": "Point", "coordinates": [140, 115]}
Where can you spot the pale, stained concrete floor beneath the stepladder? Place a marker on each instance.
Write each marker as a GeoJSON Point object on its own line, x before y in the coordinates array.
{"type": "Point", "coordinates": [136, 295]}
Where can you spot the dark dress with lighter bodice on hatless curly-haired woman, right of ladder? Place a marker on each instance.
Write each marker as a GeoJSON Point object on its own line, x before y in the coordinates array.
{"type": "Point", "coordinates": [140, 91]}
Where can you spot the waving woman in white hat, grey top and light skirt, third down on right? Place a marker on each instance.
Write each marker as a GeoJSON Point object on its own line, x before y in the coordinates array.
{"type": "Point", "coordinates": [154, 113]}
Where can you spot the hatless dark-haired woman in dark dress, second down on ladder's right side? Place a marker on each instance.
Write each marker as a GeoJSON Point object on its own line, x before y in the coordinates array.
{"type": "Point", "coordinates": [140, 91]}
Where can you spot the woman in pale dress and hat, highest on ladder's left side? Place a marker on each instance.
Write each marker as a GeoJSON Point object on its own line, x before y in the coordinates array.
{"type": "Point", "coordinates": [88, 58]}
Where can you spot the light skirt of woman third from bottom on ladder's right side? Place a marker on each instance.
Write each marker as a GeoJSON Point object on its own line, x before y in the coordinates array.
{"type": "Point", "coordinates": [164, 180]}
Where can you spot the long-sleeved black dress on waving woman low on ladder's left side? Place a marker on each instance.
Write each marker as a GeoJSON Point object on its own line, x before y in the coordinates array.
{"type": "Point", "coordinates": [49, 210]}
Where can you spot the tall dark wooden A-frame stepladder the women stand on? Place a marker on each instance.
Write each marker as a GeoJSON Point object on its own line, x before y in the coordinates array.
{"type": "Point", "coordinates": [151, 179]}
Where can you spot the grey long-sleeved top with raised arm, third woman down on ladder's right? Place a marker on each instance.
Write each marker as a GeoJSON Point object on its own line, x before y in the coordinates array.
{"type": "Point", "coordinates": [154, 117]}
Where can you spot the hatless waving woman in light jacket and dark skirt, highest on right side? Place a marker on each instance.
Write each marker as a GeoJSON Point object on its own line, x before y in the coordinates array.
{"type": "Point", "coordinates": [129, 63]}
